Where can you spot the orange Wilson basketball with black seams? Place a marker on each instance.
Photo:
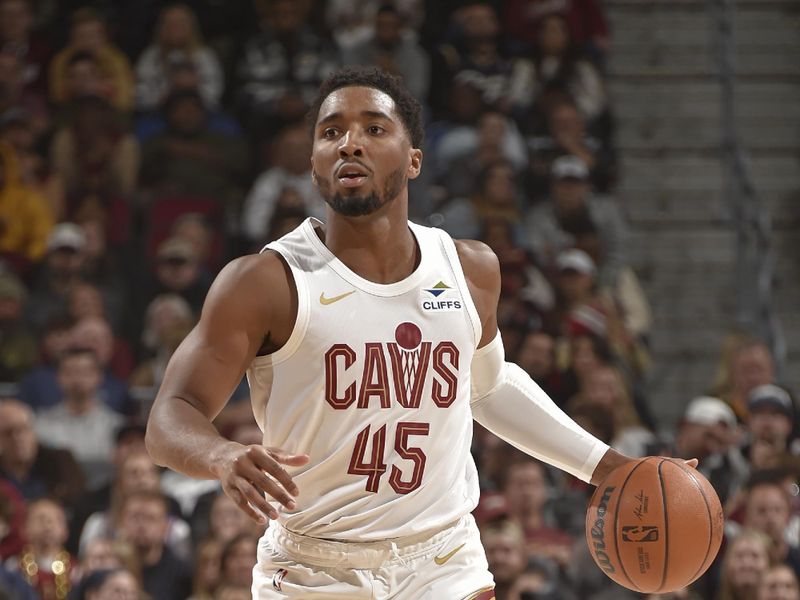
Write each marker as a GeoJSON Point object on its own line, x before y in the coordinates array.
{"type": "Point", "coordinates": [654, 525]}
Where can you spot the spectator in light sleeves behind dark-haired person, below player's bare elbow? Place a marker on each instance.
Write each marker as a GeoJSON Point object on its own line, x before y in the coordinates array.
{"type": "Point", "coordinates": [136, 473]}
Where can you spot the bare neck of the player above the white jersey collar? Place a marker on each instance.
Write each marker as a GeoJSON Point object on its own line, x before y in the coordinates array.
{"type": "Point", "coordinates": [378, 247]}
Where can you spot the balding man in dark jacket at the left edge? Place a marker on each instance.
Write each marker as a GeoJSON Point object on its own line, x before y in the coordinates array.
{"type": "Point", "coordinates": [35, 469]}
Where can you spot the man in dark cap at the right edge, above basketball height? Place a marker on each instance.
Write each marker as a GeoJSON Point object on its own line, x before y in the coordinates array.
{"type": "Point", "coordinates": [770, 425]}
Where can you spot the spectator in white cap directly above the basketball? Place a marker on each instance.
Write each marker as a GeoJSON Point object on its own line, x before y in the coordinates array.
{"type": "Point", "coordinates": [708, 432]}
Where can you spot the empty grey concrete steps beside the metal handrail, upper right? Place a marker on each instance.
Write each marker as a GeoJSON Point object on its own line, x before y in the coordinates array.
{"type": "Point", "coordinates": [662, 80]}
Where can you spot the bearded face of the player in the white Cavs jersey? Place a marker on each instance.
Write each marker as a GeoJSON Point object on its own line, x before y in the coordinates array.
{"type": "Point", "coordinates": [362, 157]}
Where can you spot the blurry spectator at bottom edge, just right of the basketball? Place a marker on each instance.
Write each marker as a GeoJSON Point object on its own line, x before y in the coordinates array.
{"type": "Point", "coordinates": [745, 563]}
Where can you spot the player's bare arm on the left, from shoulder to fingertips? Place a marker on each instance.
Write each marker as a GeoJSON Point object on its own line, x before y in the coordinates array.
{"type": "Point", "coordinates": [249, 302]}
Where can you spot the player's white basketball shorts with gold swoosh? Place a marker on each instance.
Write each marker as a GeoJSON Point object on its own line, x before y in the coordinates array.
{"type": "Point", "coordinates": [448, 565]}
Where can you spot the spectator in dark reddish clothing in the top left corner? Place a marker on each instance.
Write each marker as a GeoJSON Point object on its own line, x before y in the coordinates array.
{"type": "Point", "coordinates": [17, 37]}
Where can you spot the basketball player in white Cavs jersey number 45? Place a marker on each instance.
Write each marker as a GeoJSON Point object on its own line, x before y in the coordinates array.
{"type": "Point", "coordinates": [370, 345]}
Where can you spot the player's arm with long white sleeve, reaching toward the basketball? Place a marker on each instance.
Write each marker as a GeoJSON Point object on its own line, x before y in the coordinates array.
{"type": "Point", "coordinates": [508, 402]}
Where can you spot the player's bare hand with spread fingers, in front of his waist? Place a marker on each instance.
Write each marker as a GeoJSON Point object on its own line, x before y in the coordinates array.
{"type": "Point", "coordinates": [248, 472]}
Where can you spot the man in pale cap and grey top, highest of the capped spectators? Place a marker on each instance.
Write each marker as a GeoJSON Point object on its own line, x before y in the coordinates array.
{"type": "Point", "coordinates": [554, 225]}
